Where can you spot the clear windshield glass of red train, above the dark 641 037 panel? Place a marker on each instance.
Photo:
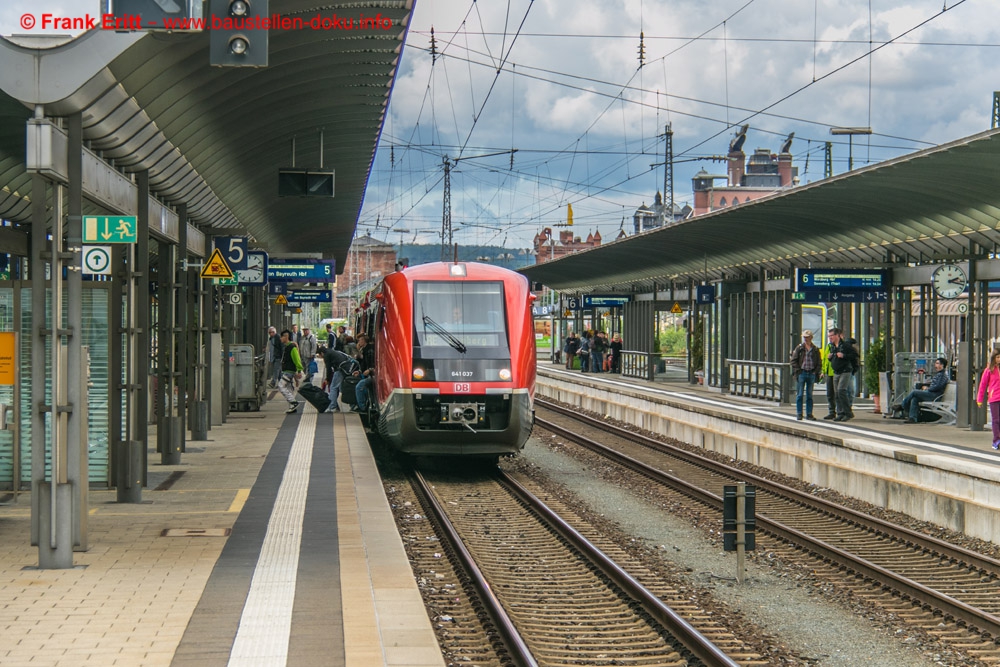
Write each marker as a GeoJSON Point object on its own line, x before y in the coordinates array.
{"type": "Point", "coordinates": [460, 316]}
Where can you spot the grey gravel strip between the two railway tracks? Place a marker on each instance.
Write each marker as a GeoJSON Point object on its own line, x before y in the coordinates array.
{"type": "Point", "coordinates": [783, 603]}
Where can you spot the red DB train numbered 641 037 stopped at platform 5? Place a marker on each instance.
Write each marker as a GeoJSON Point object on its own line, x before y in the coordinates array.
{"type": "Point", "coordinates": [454, 359]}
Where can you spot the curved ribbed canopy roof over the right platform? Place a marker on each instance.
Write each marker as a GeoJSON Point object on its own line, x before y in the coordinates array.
{"type": "Point", "coordinates": [926, 206]}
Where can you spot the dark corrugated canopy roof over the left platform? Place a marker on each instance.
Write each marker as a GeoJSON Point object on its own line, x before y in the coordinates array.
{"type": "Point", "coordinates": [214, 137]}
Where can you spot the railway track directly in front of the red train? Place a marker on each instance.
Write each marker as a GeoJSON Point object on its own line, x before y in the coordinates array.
{"type": "Point", "coordinates": [552, 596]}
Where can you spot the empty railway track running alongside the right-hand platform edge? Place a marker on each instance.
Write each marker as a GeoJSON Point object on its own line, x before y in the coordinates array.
{"type": "Point", "coordinates": [948, 591]}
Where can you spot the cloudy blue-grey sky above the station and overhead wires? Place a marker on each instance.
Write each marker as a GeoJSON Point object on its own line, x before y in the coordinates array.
{"type": "Point", "coordinates": [560, 82]}
